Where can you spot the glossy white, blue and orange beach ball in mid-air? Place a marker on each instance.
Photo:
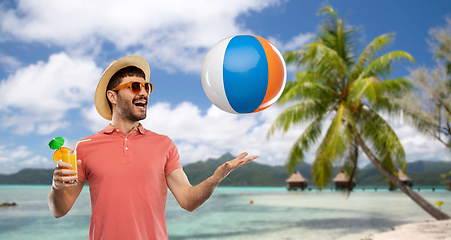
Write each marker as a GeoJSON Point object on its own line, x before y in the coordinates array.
{"type": "Point", "coordinates": [243, 74]}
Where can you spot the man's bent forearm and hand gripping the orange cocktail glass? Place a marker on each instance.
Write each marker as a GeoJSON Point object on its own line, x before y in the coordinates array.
{"type": "Point", "coordinates": [63, 194]}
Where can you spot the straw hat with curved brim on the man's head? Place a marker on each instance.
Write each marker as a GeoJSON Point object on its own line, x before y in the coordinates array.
{"type": "Point", "coordinates": [100, 99]}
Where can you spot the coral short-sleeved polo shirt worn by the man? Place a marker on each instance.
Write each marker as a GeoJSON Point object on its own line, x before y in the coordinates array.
{"type": "Point", "coordinates": [127, 182]}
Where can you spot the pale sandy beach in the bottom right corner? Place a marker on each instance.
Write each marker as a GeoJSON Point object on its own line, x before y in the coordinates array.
{"type": "Point", "coordinates": [430, 230]}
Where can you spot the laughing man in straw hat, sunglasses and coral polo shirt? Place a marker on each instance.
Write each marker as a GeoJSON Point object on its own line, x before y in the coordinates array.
{"type": "Point", "coordinates": [128, 167]}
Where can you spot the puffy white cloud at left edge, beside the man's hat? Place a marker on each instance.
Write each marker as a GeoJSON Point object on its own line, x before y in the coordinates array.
{"type": "Point", "coordinates": [37, 98]}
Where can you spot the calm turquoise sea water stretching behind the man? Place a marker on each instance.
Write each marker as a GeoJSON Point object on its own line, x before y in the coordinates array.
{"type": "Point", "coordinates": [275, 214]}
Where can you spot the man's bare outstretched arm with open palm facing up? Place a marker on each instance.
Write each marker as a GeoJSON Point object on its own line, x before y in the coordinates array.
{"type": "Point", "coordinates": [191, 197]}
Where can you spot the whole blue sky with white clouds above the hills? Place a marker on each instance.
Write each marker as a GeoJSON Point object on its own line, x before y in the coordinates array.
{"type": "Point", "coordinates": [52, 54]}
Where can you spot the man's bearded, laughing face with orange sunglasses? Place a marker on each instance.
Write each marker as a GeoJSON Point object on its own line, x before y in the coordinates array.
{"type": "Point", "coordinates": [129, 105]}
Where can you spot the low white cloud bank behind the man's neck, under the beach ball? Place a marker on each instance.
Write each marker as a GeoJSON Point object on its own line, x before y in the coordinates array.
{"type": "Point", "coordinates": [200, 136]}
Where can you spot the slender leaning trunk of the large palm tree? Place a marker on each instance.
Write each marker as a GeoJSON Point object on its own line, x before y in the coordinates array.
{"type": "Point", "coordinates": [429, 208]}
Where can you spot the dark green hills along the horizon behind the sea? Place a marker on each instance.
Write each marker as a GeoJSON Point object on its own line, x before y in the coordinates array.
{"type": "Point", "coordinates": [423, 173]}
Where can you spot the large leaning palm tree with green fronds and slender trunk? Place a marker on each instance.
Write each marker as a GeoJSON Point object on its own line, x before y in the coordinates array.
{"type": "Point", "coordinates": [337, 83]}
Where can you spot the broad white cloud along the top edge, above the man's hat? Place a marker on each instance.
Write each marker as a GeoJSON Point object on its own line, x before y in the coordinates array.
{"type": "Point", "coordinates": [172, 35]}
